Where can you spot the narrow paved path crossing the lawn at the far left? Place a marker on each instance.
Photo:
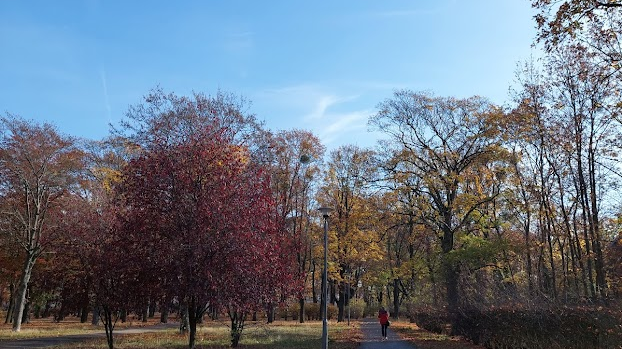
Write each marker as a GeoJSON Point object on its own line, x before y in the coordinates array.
{"type": "Point", "coordinates": [55, 341]}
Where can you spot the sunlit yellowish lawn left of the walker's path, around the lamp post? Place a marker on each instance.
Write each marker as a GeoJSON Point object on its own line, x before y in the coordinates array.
{"type": "Point", "coordinates": [213, 334]}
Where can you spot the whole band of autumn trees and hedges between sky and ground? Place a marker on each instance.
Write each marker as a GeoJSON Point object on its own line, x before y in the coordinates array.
{"type": "Point", "coordinates": [502, 221]}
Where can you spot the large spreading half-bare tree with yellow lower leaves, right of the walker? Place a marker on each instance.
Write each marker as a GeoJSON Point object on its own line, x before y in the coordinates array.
{"type": "Point", "coordinates": [447, 144]}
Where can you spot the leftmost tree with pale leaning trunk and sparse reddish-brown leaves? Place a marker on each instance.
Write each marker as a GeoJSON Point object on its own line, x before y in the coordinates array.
{"type": "Point", "coordinates": [38, 167]}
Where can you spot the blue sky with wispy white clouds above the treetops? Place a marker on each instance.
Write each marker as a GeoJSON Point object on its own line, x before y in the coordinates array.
{"type": "Point", "coordinates": [317, 65]}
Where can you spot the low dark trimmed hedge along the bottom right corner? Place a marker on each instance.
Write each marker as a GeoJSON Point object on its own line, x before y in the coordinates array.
{"type": "Point", "coordinates": [554, 327]}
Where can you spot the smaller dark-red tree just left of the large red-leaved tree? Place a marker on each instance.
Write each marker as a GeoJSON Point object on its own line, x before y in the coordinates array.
{"type": "Point", "coordinates": [108, 271]}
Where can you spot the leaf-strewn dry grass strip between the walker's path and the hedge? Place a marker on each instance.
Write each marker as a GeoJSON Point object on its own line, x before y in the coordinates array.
{"type": "Point", "coordinates": [427, 340]}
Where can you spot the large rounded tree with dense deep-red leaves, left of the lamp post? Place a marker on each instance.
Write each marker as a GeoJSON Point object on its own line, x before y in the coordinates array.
{"type": "Point", "coordinates": [201, 214]}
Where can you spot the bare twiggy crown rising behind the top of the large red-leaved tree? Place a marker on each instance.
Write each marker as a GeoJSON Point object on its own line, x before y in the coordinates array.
{"type": "Point", "coordinates": [165, 119]}
